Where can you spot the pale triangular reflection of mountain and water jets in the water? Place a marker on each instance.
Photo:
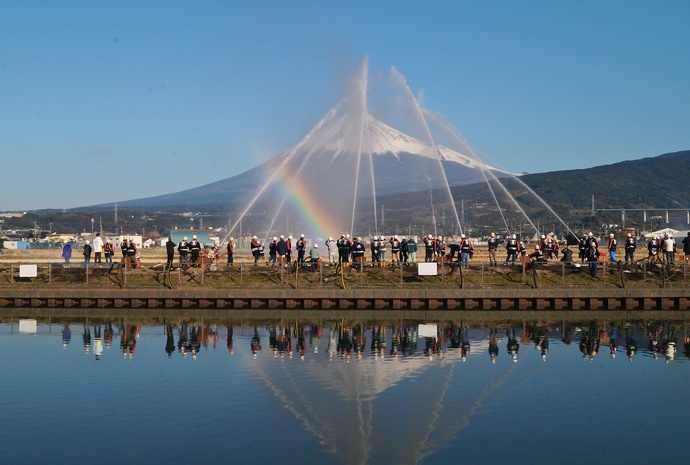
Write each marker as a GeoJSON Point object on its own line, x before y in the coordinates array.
{"type": "Point", "coordinates": [348, 407]}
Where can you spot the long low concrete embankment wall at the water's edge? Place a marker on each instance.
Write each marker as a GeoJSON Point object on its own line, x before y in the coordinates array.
{"type": "Point", "coordinates": [388, 302]}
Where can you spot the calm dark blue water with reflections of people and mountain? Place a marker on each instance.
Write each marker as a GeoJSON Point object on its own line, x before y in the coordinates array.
{"type": "Point", "coordinates": [350, 392]}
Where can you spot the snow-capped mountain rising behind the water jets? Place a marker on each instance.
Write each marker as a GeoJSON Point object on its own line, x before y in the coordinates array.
{"type": "Point", "coordinates": [329, 156]}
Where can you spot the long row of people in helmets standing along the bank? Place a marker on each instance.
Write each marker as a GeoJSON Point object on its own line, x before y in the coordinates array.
{"type": "Point", "coordinates": [403, 250]}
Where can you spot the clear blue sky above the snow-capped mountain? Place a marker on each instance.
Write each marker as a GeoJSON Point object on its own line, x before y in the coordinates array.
{"type": "Point", "coordinates": [107, 101]}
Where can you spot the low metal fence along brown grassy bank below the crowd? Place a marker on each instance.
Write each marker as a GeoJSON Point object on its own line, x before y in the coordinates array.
{"type": "Point", "coordinates": [351, 275]}
